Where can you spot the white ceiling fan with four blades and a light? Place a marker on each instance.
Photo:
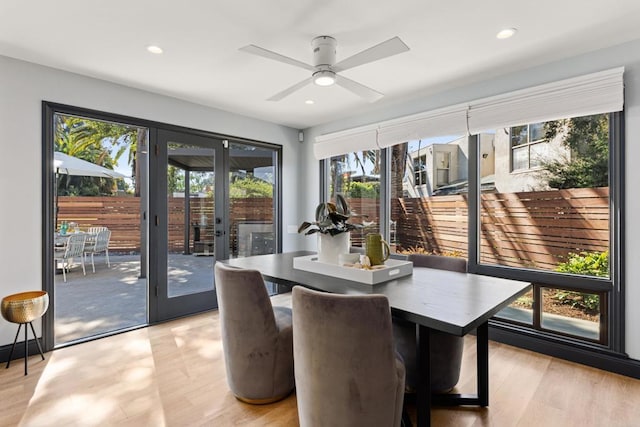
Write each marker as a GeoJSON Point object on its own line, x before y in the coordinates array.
{"type": "Point", "coordinates": [325, 69]}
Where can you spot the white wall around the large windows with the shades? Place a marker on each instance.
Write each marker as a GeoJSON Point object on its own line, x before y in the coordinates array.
{"type": "Point", "coordinates": [627, 55]}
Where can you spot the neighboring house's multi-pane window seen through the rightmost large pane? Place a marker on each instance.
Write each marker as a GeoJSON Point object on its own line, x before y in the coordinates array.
{"type": "Point", "coordinates": [529, 147]}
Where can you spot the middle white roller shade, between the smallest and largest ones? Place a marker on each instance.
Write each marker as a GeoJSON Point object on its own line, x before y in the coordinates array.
{"type": "Point", "coordinates": [440, 122]}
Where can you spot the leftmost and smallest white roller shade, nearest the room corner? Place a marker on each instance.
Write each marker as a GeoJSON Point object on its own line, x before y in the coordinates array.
{"type": "Point", "coordinates": [349, 141]}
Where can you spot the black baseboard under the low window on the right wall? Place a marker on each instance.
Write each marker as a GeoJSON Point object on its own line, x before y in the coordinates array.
{"type": "Point", "coordinates": [606, 360]}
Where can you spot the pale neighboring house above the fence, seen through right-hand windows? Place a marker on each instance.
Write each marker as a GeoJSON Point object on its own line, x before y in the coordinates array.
{"type": "Point", "coordinates": [511, 160]}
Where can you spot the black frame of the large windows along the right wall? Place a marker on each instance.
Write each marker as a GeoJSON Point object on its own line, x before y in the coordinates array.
{"type": "Point", "coordinates": [610, 355]}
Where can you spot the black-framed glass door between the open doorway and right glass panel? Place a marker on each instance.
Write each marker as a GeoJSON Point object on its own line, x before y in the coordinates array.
{"type": "Point", "coordinates": [188, 222]}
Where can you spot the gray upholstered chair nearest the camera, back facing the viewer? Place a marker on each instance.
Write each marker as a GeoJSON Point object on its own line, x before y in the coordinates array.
{"type": "Point", "coordinates": [347, 370]}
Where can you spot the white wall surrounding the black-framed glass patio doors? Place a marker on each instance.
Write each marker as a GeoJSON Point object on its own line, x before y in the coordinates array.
{"type": "Point", "coordinates": [23, 86]}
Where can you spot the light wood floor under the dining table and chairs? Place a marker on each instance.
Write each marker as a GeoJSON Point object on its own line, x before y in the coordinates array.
{"type": "Point", "coordinates": [173, 375]}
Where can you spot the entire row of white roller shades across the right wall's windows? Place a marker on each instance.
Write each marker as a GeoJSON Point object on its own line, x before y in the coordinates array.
{"type": "Point", "coordinates": [595, 93]}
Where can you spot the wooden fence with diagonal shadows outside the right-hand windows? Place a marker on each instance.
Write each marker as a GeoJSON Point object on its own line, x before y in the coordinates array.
{"type": "Point", "coordinates": [528, 229]}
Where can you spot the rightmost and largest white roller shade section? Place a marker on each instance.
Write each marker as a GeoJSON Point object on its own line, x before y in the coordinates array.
{"type": "Point", "coordinates": [596, 93]}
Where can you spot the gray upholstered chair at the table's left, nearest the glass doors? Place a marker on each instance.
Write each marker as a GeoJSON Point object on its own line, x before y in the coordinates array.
{"type": "Point", "coordinates": [256, 337]}
